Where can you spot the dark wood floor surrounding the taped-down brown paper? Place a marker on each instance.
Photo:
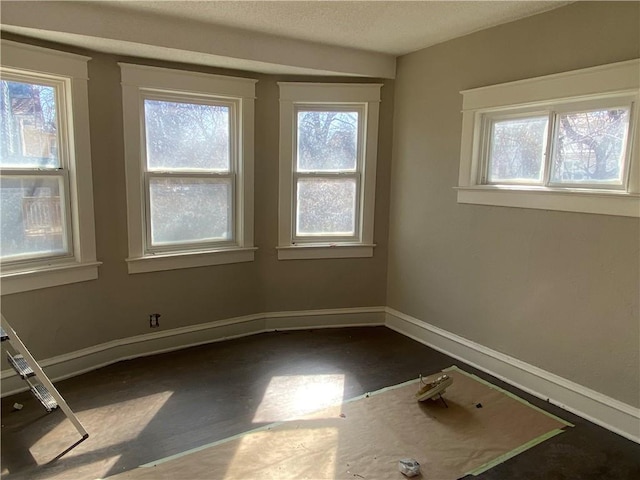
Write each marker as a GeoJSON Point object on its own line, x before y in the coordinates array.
{"type": "Point", "coordinates": [149, 408]}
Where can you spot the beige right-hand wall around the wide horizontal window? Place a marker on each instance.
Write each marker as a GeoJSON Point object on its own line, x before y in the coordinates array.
{"type": "Point", "coordinates": [558, 290]}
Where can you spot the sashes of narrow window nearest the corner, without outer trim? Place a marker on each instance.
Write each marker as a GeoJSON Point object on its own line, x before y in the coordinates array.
{"type": "Point", "coordinates": [327, 172]}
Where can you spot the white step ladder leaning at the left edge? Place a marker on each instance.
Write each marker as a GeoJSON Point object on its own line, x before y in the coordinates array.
{"type": "Point", "coordinates": [39, 384]}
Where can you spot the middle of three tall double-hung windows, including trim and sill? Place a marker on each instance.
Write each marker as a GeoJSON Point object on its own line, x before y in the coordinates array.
{"type": "Point", "coordinates": [189, 157]}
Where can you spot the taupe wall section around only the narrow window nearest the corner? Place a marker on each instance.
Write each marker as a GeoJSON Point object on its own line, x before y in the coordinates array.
{"type": "Point", "coordinates": [310, 284]}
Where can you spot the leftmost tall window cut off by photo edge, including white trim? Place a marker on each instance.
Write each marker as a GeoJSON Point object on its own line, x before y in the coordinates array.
{"type": "Point", "coordinates": [48, 235]}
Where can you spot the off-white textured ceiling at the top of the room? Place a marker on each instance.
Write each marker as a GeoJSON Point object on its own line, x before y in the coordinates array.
{"type": "Point", "coordinates": [391, 27]}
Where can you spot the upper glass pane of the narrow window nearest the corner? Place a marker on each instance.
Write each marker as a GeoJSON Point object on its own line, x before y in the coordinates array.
{"type": "Point", "coordinates": [327, 140]}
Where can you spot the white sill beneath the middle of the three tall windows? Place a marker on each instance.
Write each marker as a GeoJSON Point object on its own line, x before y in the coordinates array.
{"type": "Point", "coordinates": [177, 261]}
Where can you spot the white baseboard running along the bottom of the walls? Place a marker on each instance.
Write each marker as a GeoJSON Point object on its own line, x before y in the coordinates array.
{"type": "Point", "coordinates": [589, 404]}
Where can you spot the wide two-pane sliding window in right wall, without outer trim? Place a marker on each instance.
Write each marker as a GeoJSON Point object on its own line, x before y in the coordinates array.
{"type": "Point", "coordinates": [568, 146]}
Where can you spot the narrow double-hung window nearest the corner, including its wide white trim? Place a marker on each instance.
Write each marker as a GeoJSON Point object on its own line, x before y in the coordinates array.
{"type": "Point", "coordinates": [328, 153]}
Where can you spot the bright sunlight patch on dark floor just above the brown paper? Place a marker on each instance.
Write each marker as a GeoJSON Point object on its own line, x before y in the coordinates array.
{"type": "Point", "coordinates": [290, 396]}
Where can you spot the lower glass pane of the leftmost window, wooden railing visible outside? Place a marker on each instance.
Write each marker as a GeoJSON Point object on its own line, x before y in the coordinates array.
{"type": "Point", "coordinates": [32, 217]}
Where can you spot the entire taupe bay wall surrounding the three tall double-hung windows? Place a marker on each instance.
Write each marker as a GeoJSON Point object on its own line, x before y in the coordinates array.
{"type": "Point", "coordinates": [63, 319]}
